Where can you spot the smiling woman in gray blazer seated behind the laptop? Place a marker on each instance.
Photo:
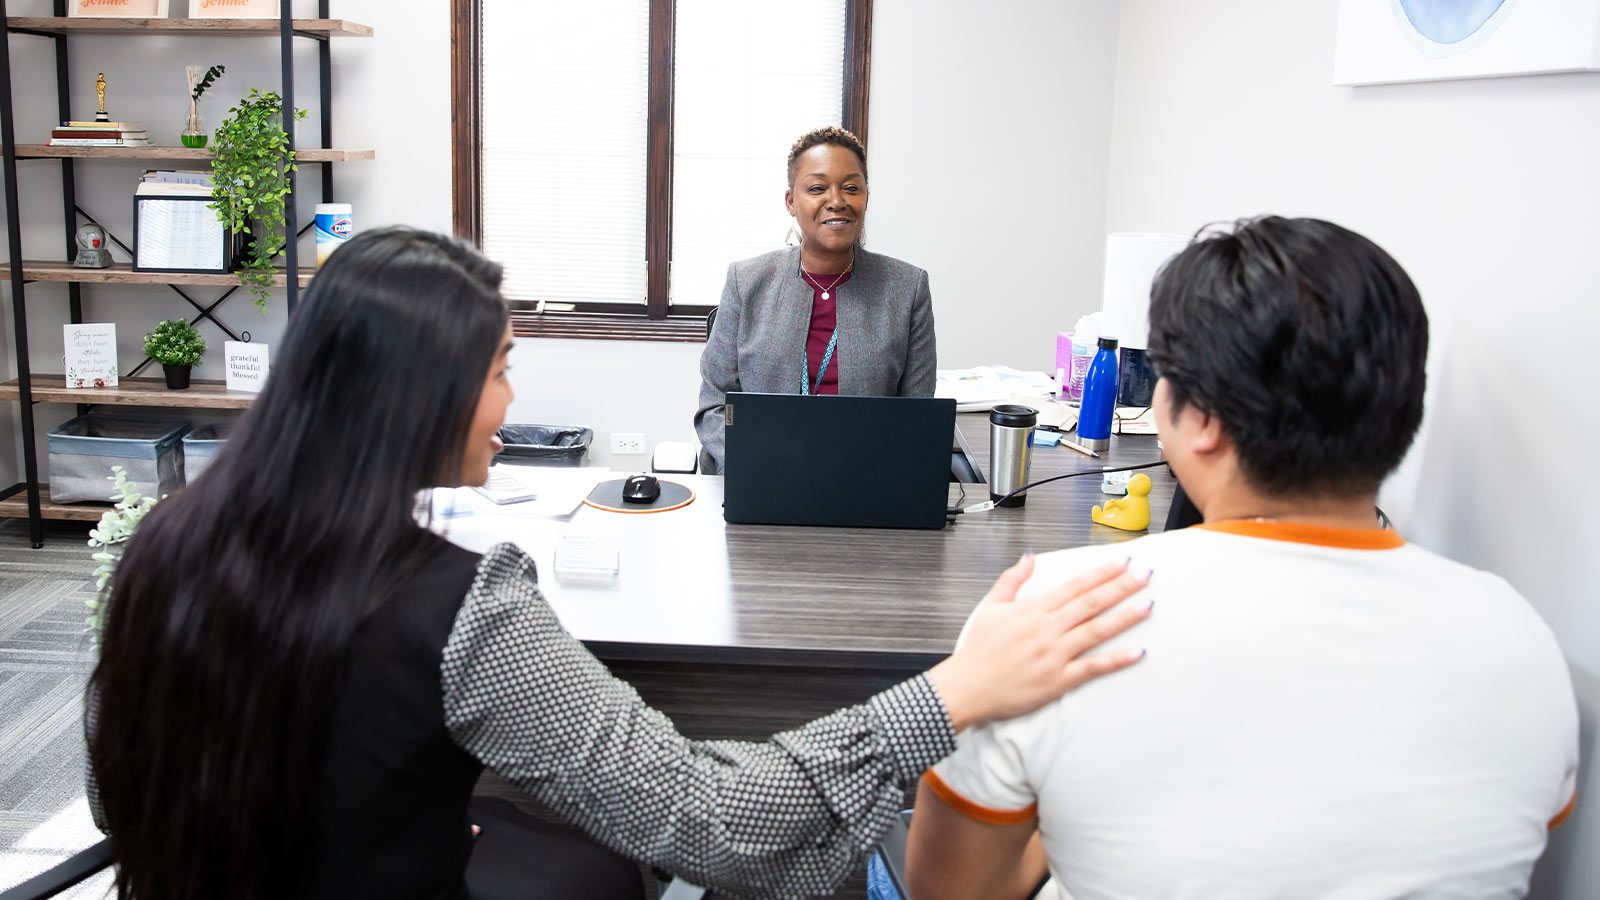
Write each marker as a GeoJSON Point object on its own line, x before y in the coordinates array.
{"type": "Point", "coordinates": [825, 318]}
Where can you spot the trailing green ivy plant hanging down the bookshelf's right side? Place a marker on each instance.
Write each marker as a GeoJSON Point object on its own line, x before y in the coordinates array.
{"type": "Point", "coordinates": [250, 175]}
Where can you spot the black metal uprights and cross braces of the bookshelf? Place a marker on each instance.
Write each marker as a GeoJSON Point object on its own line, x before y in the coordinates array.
{"type": "Point", "coordinates": [25, 392]}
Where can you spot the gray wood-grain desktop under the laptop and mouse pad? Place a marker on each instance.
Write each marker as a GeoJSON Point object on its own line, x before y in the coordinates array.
{"type": "Point", "coordinates": [694, 589]}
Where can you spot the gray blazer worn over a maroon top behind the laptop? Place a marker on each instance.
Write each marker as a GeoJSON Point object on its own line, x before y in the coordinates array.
{"type": "Point", "coordinates": [886, 335]}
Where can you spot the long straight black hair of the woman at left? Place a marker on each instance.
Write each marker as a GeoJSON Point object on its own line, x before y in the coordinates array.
{"type": "Point", "coordinates": [234, 608]}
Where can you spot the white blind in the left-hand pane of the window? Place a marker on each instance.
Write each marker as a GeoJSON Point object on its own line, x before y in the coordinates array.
{"type": "Point", "coordinates": [564, 102]}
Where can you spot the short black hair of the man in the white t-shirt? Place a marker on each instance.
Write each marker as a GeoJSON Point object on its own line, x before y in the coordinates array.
{"type": "Point", "coordinates": [1306, 340]}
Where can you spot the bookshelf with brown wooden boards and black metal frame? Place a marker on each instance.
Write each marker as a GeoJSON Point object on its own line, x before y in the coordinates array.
{"type": "Point", "coordinates": [30, 499]}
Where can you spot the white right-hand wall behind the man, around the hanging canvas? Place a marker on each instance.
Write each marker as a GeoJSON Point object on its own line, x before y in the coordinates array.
{"type": "Point", "coordinates": [1487, 193]}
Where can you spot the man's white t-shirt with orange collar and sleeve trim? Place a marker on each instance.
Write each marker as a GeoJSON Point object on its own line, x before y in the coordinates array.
{"type": "Point", "coordinates": [1322, 713]}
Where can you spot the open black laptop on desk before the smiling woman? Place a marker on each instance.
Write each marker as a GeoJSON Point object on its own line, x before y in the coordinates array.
{"type": "Point", "coordinates": [855, 462]}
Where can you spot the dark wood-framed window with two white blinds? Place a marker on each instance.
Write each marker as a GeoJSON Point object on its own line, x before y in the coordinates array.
{"type": "Point", "coordinates": [615, 156]}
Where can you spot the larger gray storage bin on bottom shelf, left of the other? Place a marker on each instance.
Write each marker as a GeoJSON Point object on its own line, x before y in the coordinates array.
{"type": "Point", "coordinates": [82, 452]}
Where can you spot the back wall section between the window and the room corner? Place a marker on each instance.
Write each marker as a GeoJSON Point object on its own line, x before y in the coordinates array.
{"type": "Point", "coordinates": [988, 148]}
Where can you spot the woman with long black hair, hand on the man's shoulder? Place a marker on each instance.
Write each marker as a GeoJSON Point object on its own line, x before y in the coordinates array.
{"type": "Point", "coordinates": [300, 683]}
